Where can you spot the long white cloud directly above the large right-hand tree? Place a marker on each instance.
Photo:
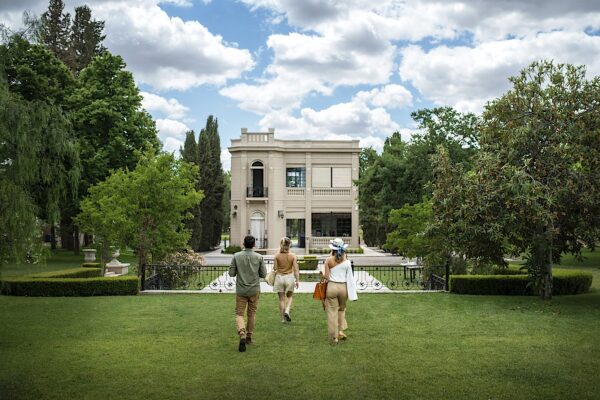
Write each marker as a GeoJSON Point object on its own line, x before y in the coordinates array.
{"type": "Point", "coordinates": [466, 77]}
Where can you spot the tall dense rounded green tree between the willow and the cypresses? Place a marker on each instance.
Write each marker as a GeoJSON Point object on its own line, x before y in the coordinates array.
{"type": "Point", "coordinates": [110, 124]}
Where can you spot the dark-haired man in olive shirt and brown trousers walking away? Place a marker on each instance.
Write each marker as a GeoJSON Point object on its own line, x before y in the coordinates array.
{"type": "Point", "coordinates": [248, 266]}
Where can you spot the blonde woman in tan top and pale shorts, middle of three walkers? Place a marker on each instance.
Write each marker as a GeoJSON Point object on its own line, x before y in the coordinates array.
{"type": "Point", "coordinates": [287, 277]}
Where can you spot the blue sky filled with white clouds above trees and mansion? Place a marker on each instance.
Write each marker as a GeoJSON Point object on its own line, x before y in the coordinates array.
{"type": "Point", "coordinates": [328, 69]}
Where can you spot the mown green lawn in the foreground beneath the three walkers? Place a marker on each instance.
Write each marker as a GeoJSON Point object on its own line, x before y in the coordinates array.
{"type": "Point", "coordinates": [410, 346]}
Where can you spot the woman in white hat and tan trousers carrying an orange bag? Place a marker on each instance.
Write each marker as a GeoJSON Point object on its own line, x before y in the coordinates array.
{"type": "Point", "coordinates": [337, 271]}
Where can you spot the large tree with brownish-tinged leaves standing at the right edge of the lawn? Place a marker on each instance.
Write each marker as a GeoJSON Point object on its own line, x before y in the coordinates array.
{"type": "Point", "coordinates": [534, 187]}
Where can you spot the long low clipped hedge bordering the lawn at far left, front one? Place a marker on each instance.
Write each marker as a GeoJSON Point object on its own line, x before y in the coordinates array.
{"type": "Point", "coordinates": [31, 286]}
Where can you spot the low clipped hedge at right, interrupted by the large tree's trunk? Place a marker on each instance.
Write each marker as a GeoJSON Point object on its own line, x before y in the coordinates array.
{"type": "Point", "coordinates": [564, 282]}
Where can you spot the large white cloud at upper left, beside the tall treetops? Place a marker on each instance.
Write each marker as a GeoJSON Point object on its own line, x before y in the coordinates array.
{"type": "Point", "coordinates": [162, 51]}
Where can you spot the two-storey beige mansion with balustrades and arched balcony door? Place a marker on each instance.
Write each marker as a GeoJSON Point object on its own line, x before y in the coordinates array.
{"type": "Point", "coordinates": [302, 189]}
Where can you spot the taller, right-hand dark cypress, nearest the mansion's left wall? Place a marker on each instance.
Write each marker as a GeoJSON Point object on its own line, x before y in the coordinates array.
{"type": "Point", "coordinates": [211, 183]}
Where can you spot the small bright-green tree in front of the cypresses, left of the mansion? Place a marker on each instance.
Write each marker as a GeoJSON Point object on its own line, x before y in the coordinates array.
{"type": "Point", "coordinates": [143, 208]}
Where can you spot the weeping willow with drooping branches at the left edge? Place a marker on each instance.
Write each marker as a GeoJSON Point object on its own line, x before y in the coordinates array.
{"type": "Point", "coordinates": [39, 161]}
